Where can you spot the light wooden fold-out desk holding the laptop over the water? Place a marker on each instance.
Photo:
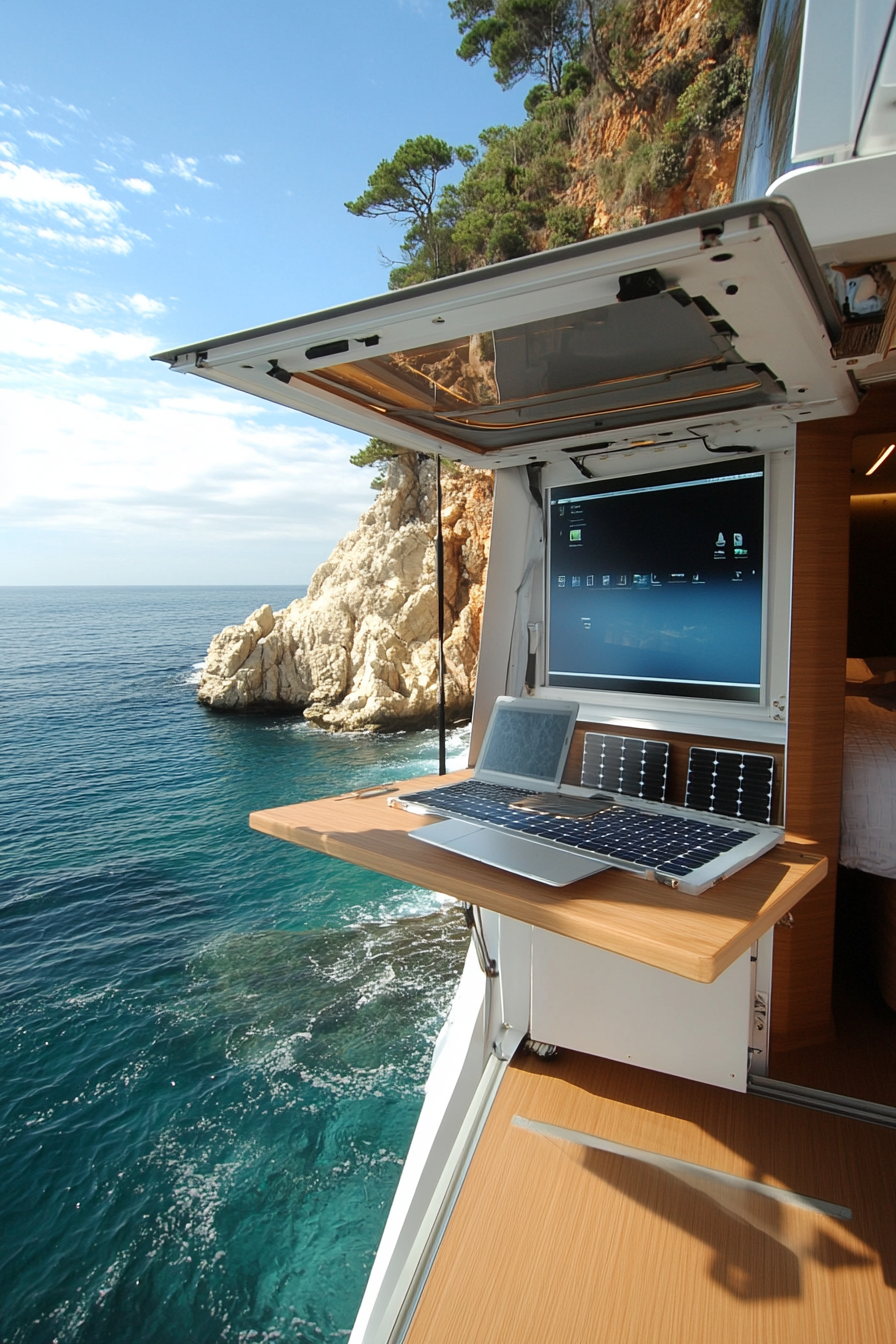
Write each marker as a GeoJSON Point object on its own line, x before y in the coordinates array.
{"type": "Point", "coordinates": [697, 937]}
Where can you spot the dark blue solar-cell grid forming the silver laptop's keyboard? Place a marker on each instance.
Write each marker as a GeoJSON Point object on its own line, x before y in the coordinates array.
{"type": "Point", "coordinates": [667, 843]}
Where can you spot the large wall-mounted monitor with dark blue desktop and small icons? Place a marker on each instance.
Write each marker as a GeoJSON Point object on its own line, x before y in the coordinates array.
{"type": "Point", "coordinates": [656, 584]}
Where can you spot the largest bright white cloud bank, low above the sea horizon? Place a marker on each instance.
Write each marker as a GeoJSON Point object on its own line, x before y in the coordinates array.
{"type": "Point", "coordinates": [186, 468]}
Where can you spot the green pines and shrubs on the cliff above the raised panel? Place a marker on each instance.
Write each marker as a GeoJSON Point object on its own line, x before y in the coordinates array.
{"type": "Point", "coordinates": [585, 57]}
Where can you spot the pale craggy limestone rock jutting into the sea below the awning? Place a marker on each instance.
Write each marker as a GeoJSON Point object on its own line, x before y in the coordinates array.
{"type": "Point", "coordinates": [361, 650]}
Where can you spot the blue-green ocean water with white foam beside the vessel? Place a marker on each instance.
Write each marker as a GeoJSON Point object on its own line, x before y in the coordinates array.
{"type": "Point", "coordinates": [213, 1045]}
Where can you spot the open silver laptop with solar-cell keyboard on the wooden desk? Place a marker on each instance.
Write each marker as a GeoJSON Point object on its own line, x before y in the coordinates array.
{"type": "Point", "coordinates": [562, 834]}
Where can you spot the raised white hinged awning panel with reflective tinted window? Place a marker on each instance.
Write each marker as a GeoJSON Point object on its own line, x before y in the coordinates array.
{"type": "Point", "coordinates": [697, 319]}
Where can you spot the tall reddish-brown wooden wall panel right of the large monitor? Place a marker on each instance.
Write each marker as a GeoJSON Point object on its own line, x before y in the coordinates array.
{"type": "Point", "coordinates": [801, 1011]}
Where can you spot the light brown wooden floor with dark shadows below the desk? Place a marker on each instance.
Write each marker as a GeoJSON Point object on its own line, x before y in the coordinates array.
{"type": "Point", "coordinates": [553, 1243]}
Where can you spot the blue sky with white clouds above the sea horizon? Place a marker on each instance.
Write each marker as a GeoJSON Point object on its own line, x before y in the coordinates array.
{"type": "Point", "coordinates": [170, 174]}
